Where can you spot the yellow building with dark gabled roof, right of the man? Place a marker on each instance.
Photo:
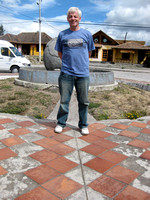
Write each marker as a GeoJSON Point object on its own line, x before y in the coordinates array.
{"type": "Point", "coordinates": [118, 51]}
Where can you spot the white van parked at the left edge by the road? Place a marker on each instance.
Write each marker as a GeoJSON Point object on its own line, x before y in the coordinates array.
{"type": "Point", "coordinates": [10, 58]}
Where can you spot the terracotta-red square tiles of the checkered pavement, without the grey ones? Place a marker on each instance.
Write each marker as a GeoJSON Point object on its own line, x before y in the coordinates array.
{"type": "Point", "coordinates": [115, 181]}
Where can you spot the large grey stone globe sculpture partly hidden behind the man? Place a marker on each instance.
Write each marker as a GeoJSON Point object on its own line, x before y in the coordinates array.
{"type": "Point", "coordinates": [51, 58]}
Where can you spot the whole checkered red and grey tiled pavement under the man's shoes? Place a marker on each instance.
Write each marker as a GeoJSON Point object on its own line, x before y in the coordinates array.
{"type": "Point", "coordinates": [111, 163]}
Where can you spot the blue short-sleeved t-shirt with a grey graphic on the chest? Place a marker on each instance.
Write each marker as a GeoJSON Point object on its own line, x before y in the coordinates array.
{"type": "Point", "coordinates": [75, 47]}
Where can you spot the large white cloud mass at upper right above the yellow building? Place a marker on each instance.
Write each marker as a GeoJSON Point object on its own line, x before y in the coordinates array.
{"type": "Point", "coordinates": [126, 12]}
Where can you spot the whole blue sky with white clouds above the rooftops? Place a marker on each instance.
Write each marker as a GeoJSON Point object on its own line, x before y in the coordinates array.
{"type": "Point", "coordinates": [120, 16]}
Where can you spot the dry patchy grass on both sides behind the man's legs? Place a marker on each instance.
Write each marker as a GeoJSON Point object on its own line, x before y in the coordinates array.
{"type": "Point", "coordinates": [122, 102]}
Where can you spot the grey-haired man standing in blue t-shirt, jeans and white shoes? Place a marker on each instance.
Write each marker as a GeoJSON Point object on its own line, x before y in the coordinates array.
{"type": "Point", "coordinates": [74, 46]}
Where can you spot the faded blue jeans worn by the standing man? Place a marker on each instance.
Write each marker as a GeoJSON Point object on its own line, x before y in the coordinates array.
{"type": "Point", "coordinates": [66, 85]}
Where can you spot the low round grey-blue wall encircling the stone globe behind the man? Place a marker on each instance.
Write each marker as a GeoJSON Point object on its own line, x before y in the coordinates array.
{"type": "Point", "coordinates": [42, 78]}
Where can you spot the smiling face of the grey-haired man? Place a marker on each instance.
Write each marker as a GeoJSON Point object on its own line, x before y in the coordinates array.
{"type": "Point", "coordinates": [73, 19]}
